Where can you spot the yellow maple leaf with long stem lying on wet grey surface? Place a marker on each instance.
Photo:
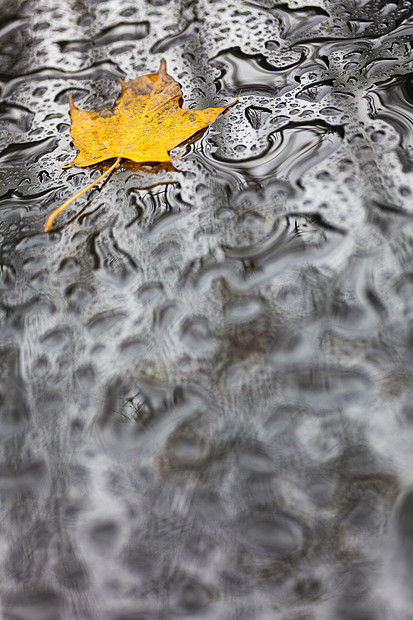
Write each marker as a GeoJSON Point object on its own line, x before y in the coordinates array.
{"type": "Point", "coordinates": [144, 125]}
